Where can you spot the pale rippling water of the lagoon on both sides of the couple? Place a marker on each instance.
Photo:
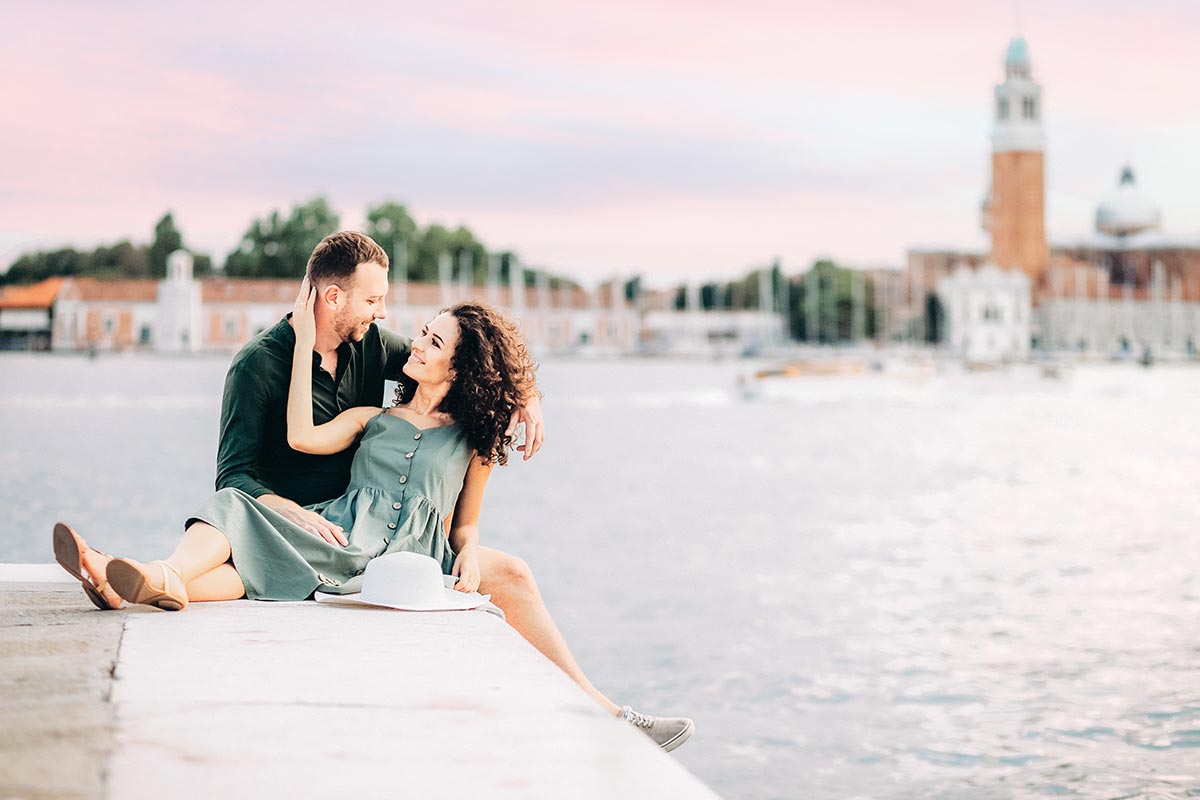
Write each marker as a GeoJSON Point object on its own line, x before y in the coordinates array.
{"type": "Point", "coordinates": [974, 587]}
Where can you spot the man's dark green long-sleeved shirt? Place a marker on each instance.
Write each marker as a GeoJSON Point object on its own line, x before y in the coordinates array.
{"type": "Point", "coordinates": [254, 454]}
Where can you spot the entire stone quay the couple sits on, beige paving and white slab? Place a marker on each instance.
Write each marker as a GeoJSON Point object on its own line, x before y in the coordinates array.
{"type": "Point", "coordinates": [296, 700]}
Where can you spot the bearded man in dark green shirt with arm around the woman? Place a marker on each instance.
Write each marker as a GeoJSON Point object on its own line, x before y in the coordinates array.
{"type": "Point", "coordinates": [352, 359]}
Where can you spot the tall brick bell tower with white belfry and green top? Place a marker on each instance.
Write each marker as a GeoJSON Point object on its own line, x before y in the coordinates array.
{"type": "Point", "coordinates": [1015, 213]}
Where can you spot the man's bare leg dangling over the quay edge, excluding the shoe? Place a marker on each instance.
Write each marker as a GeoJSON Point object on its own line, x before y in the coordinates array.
{"type": "Point", "coordinates": [513, 588]}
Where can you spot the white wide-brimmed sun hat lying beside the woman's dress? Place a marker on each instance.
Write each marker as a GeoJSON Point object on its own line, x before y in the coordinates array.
{"type": "Point", "coordinates": [409, 582]}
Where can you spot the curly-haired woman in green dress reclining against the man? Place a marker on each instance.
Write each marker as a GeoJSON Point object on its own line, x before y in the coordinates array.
{"type": "Point", "coordinates": [422, 465]}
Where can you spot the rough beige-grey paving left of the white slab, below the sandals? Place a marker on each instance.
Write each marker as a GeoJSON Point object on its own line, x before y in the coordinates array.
{"type": "Point", "coordinates": [57, 657]}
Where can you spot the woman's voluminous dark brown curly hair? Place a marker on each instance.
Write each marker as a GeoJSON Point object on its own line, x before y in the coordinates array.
{"type": "Point", "coordinates": [494, 376]}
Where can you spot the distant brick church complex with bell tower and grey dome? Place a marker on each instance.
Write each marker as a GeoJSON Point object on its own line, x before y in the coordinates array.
{"type": "Point", "coordinates": [1127, 287]}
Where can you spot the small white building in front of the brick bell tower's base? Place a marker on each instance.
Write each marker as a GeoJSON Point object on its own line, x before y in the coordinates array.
{"type": "Point", "coordinates": [988, 314]}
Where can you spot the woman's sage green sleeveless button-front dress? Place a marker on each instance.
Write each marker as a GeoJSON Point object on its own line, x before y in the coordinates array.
{"type": "Point", "coordinates": [405, 483]}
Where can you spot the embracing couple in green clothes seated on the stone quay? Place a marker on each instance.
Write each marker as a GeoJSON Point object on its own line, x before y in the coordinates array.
{"type": "Point", "coordinates": [315, 480]}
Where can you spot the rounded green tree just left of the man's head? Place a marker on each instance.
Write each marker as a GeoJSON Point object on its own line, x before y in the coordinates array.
{"type": "Point", "coordinates": [277, 248]}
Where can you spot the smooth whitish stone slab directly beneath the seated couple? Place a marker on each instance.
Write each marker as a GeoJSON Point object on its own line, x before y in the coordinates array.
{"type": "Point", "coordinates": [299, 700]}
